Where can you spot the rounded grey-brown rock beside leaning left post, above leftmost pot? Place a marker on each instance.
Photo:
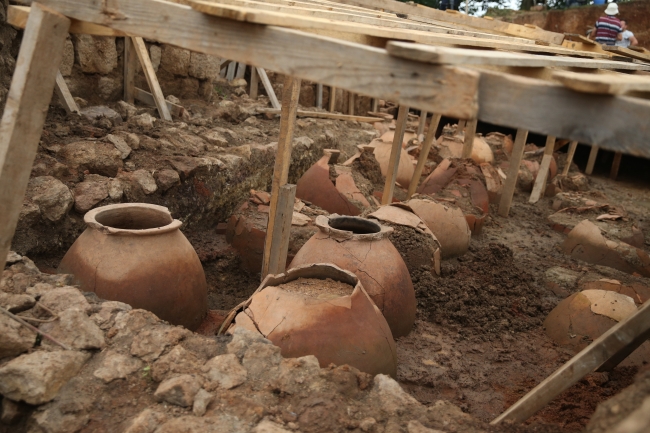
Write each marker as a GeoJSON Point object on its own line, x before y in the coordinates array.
{"type": "Point", "coordinates": [52, 197]}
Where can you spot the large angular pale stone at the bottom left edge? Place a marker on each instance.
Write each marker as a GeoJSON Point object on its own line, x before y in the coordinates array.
{"type": "Point", "coordinates": [36, 378]}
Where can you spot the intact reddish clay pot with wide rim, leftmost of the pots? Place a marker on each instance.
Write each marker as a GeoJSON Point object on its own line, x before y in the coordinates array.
{"type": "Point", "coordinates": [135, 253]}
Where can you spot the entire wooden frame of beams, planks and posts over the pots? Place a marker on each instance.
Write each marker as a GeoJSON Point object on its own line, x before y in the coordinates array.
{"type": "Point", "coordinates": [533, 80]}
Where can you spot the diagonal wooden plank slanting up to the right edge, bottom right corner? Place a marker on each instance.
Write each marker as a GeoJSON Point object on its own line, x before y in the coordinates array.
{"type": "Point", "coordinates": [605, 347]}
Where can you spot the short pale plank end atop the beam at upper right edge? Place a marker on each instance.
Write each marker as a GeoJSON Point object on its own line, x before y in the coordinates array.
{"type": "Point", "coordinates": [603, 84]}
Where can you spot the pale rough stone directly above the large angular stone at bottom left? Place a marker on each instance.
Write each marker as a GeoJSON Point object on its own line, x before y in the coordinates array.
{"type": "Point", "coordinates": [75, 329]}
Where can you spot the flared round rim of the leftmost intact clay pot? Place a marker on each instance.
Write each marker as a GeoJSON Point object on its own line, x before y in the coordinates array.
{"type": "Point", "coordinates": [132, 219]}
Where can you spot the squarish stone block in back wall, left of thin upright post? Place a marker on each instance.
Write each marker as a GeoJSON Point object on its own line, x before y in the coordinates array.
{"type": "Point", "coordinates": [96, 54]}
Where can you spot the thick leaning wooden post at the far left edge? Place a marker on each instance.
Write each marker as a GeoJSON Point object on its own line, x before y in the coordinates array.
{"type": "Point", "coordinates": [40, 55]}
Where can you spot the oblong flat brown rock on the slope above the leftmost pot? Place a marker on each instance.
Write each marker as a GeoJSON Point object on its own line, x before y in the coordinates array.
{"type": "Point", "coordinates": [96, 157]}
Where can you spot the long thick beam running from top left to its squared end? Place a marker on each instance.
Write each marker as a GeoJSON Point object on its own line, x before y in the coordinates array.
{"type": "Point", "coordinates": [369, 71]}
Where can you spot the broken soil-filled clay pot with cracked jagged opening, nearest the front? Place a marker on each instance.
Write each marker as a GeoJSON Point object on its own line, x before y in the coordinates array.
{"type": "Point", "coordinates": [335, 329]}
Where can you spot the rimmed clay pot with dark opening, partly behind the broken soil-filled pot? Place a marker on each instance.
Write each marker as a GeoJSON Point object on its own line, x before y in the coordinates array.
{"type": "Point", "coordinates": [362, 246]}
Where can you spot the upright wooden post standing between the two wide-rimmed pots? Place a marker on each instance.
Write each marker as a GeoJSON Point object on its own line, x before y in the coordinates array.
{"type": "Point", "coordinates": [273, 246]}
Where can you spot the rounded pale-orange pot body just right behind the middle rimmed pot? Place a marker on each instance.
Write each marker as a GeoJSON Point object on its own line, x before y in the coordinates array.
{"type": "Point", "coordinates": [447, 223]}
